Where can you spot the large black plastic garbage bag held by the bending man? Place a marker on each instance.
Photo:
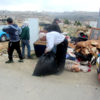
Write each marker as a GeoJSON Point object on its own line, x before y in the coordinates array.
{"type": "Point", "coordinates": [46, 65]}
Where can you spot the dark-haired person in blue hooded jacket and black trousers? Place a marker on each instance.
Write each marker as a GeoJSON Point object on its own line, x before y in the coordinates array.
{"type": "Point", "coordinates": [14, 43]}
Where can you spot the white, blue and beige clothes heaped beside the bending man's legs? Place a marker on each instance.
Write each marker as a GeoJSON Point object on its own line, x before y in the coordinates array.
{"type": "Point", "coordinates": [72, 64]}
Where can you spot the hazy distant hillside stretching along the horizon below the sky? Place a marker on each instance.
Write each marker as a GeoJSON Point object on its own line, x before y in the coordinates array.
{"type": "Point", "coordinates": [76, 15]}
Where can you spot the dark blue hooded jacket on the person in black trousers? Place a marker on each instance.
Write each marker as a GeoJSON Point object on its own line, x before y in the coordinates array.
{"type": "Point", "coordinates": [14, 31]}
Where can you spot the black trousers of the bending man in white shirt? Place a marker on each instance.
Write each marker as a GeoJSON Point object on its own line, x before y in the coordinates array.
{"type": "Point", "coordinates": [61, 54]}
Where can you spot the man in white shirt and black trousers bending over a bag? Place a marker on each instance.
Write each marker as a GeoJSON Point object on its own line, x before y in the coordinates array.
{"type": "Point", "coordinates": [52, 39]}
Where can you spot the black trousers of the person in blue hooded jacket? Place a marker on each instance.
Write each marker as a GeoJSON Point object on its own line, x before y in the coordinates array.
{"type": "Point", "coordinates": [11, 47]}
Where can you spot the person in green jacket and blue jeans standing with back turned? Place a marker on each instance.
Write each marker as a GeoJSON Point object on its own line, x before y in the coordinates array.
{"type": "Point", "coordinates": [25, 37]}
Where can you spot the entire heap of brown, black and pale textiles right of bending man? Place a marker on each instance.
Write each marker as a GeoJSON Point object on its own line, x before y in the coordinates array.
{"type": "Point", "coordinates": [83, 56]}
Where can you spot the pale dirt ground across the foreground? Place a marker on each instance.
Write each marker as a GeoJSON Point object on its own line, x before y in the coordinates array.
{"type": "Point", "coordinates": [17, 83]}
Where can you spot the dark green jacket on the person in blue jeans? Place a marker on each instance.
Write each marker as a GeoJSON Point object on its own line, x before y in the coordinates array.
{"type": "Point", "coordinates": [25, 33]}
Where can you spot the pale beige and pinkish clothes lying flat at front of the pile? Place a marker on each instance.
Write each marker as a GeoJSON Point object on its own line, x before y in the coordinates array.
{"type": "Point", "coordinates": [76, 67]}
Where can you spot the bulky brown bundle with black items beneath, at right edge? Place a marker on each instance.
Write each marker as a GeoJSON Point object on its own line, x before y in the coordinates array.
{"type": "Point", "coordinates": [87, 51]}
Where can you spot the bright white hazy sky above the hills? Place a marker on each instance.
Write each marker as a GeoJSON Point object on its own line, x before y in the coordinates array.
{"type": "Point", "coordinates": [50, 5]}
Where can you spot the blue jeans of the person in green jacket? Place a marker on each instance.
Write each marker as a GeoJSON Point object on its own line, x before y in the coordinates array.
{"type": "Point", "coordinates": [27, 44]}
